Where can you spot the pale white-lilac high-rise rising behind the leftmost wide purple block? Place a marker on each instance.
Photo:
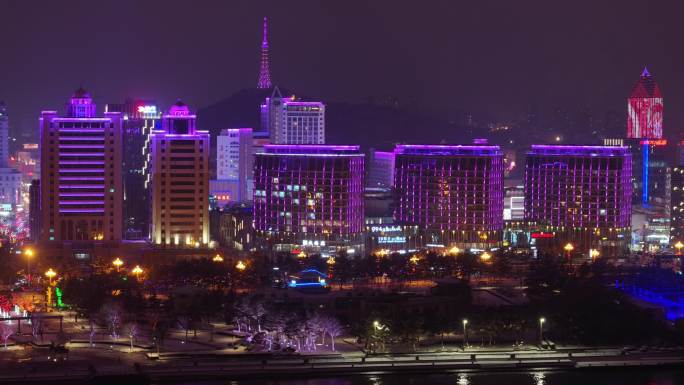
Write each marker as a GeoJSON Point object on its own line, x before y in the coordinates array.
{"type": "Point", "coordinates": [300, 123]}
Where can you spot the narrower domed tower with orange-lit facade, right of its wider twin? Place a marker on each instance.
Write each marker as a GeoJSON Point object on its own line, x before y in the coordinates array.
{"type": "Point", "coordinates": [179, 180]}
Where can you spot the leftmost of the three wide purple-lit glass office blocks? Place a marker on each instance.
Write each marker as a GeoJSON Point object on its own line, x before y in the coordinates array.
{"type": "Point", "coordinates": [309, 197]}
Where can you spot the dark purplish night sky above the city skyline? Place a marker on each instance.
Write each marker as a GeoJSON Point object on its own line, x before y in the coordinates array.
{"type": "Point", "coordinates": [496, 57]}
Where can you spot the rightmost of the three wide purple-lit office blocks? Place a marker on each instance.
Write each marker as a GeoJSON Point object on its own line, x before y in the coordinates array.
{"type": "Point", "coordinates": [580, 194]}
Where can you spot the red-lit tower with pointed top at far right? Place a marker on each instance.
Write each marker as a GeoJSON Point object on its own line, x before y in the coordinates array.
{"type": "Point", "coordinates": [645, 109]}
